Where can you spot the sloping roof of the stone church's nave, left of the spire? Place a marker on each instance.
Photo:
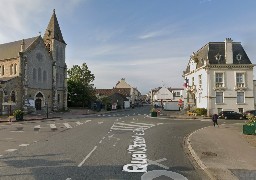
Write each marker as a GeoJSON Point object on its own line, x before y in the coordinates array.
{"type": "Point", "coordinates": [12, 49]}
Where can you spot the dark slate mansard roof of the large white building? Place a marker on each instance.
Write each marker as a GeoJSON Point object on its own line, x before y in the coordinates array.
{"type": "Point", "coordinates": [210, 50]}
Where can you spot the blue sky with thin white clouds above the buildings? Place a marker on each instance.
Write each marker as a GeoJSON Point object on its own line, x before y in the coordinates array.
{"type": "Point", "coordinates": [147, 42]}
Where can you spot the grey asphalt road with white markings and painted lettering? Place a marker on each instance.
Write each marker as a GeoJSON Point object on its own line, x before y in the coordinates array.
{"type": "Point", "coordinates": [120, 145]}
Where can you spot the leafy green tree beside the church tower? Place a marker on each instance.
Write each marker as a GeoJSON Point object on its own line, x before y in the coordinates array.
{"type": "Point", "coordinates": [80, 87]}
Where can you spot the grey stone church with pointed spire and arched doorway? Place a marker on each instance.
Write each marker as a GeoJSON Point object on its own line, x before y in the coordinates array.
{"type": "Point", "coordinates": [33, 72]}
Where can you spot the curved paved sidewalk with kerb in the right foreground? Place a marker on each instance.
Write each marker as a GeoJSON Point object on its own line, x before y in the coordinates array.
{"type": "Point", "coordinates": [224, 152]}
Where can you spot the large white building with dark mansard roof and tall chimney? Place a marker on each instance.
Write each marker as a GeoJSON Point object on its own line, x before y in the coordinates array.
{"type": "Point", "coordinates": [219, 76]}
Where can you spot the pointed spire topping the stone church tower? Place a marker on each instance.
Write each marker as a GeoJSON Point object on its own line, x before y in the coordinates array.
{"type": "Point", "coordinates": [53, 30]}
